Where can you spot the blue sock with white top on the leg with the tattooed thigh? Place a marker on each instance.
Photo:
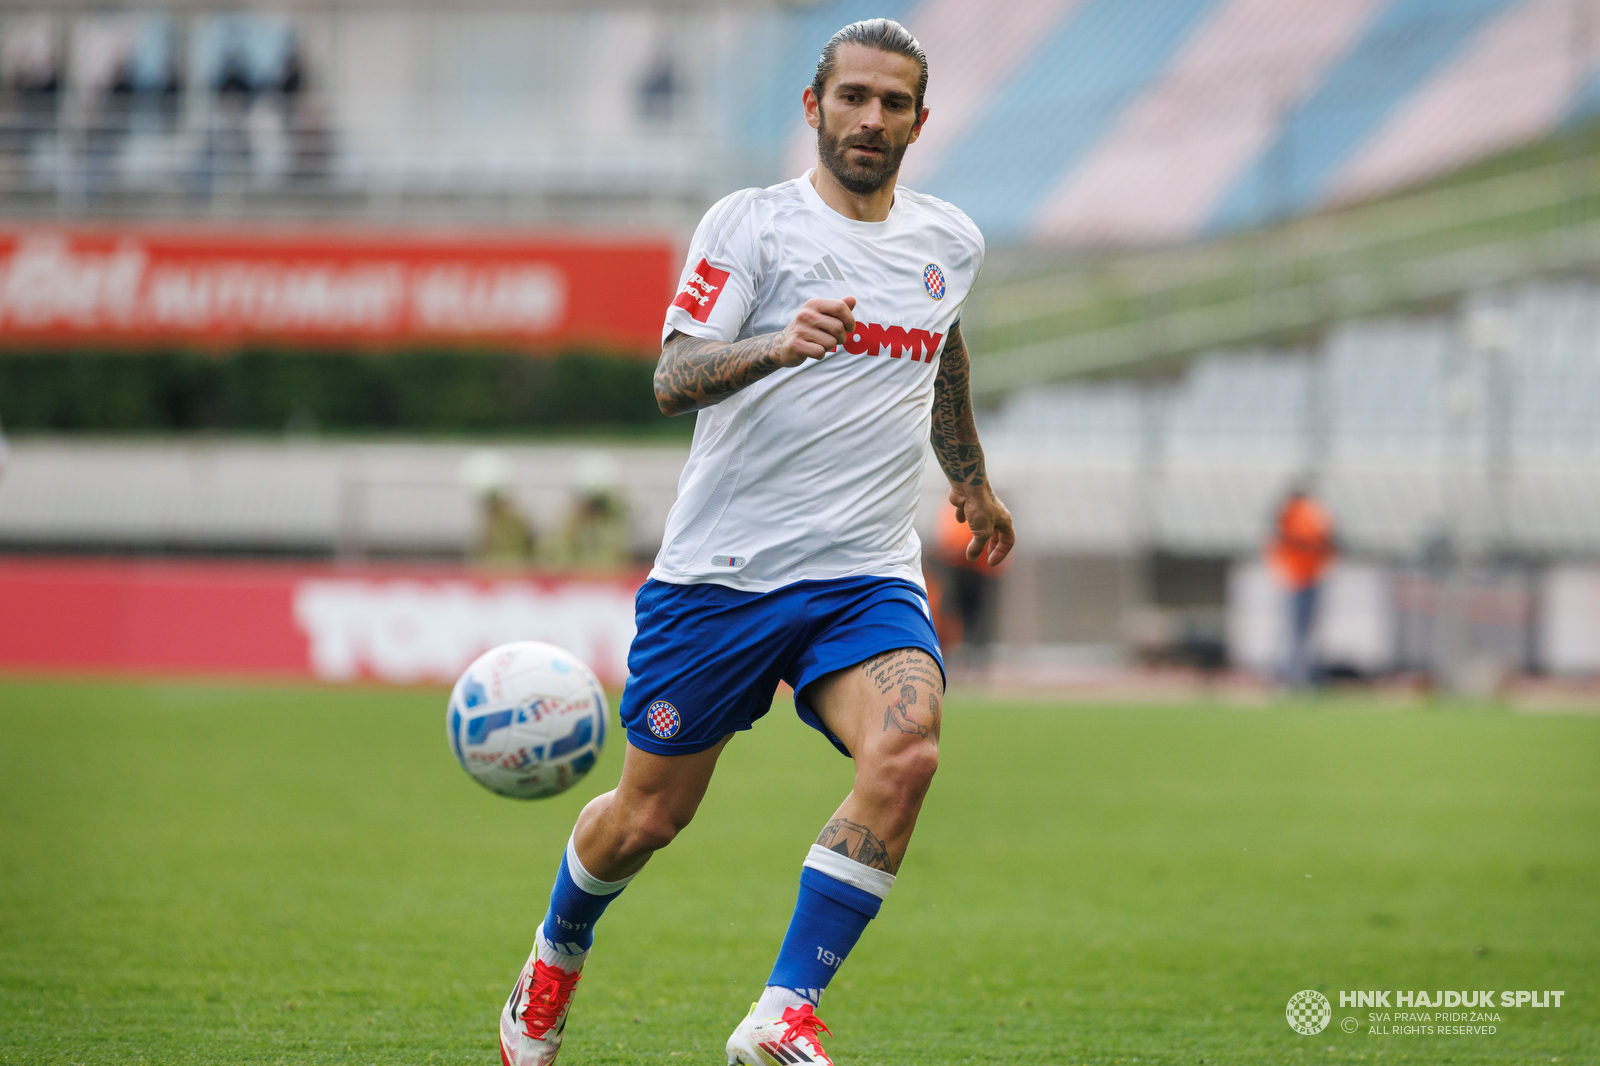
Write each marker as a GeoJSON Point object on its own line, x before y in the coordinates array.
{"type": "Point", "coordinates": [838, 899]}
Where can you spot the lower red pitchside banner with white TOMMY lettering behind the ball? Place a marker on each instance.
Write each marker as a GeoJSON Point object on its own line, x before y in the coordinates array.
{"type": "Point", "coordinates": [332, 623]}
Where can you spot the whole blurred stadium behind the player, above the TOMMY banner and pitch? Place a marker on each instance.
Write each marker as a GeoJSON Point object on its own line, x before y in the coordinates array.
{"type": "Point", "coordinates": [1234, 246]}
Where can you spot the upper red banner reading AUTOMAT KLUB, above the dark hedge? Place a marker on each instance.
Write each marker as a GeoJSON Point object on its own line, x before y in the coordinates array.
{"type": "Point", "coordinates": [362, 287]}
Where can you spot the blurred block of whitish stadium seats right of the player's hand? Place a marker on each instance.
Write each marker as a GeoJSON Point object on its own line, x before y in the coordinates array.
{"type": "Point", "coordinates": [1398, 419]}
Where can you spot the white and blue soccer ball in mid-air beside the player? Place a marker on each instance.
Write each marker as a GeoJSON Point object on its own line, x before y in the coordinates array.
{"type": "Point", "coordinates": [527, 719]}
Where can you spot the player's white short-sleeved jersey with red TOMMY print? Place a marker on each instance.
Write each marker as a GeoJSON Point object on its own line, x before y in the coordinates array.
{"type": "Point", "coordinates": [815, 471]}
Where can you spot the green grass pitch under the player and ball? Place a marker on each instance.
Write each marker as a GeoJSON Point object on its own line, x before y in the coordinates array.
{"type": "Point", "coordinates": [249, 875]}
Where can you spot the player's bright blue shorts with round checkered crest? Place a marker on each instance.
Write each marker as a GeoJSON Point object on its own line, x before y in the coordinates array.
{"type": "Point", "coordinates": [708, 659]}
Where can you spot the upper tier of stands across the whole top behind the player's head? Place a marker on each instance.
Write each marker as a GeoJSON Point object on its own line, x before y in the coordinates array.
{"type": "Point", "coordinates": [1078, 122]}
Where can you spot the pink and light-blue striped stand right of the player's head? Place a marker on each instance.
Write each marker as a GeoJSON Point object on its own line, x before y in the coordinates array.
{"type": "Point", "coordinates": [1170, 121]}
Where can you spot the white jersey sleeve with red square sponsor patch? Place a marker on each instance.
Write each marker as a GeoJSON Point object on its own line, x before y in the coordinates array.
{"type": "Point", "coordinates": [724, 273]}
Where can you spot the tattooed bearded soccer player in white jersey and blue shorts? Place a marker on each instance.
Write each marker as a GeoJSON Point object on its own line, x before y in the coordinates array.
{"type": "Point", "coordinates": [817, 332]}
